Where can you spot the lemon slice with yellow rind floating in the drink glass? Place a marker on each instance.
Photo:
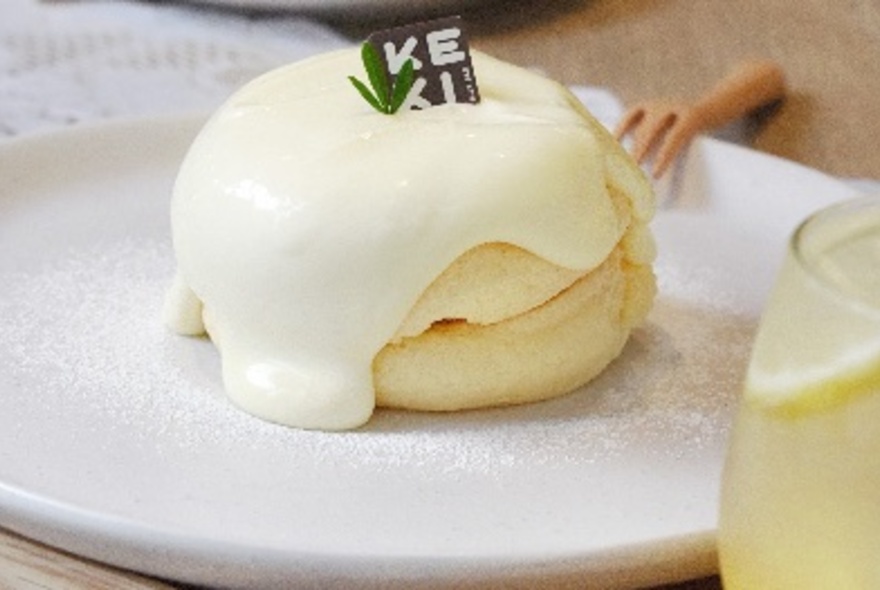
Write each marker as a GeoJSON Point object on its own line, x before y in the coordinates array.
{"type": "Point", "coordinates": [811, 353]}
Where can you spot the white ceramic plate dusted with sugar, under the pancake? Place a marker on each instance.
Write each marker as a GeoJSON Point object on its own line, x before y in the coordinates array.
{"type": "Point", "coordinates": [116, 442]}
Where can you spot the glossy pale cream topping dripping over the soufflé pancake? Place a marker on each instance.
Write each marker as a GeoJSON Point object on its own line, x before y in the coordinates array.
{"type": "Point", "coordinates": [306, 225]}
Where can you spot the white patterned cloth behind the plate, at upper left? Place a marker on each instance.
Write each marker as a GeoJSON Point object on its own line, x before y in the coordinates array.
{"type": "Point", "coordinates": [74, 62]}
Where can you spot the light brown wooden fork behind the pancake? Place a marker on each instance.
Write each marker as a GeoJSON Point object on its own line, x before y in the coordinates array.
{"type": "Point", "coordinates": [672, 125]}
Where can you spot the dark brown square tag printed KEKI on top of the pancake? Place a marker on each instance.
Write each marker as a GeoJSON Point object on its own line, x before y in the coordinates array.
{"type": "Point", "coordinates": [441, 59]}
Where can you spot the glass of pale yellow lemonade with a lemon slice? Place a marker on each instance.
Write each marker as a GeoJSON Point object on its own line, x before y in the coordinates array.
{"type": "Point", "coordinates": [800, 504]}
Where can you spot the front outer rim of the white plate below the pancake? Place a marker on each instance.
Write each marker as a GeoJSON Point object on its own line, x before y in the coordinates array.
{"type": "Point", "coordinates": [118, 542]}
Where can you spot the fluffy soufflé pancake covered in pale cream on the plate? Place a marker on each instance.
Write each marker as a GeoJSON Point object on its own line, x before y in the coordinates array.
{"type": "Point", "coordinates": [462, 256]}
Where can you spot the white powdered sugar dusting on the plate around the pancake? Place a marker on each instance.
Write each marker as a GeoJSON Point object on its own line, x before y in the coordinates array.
{"type": "Point", "coordinates": [85, 334]}
